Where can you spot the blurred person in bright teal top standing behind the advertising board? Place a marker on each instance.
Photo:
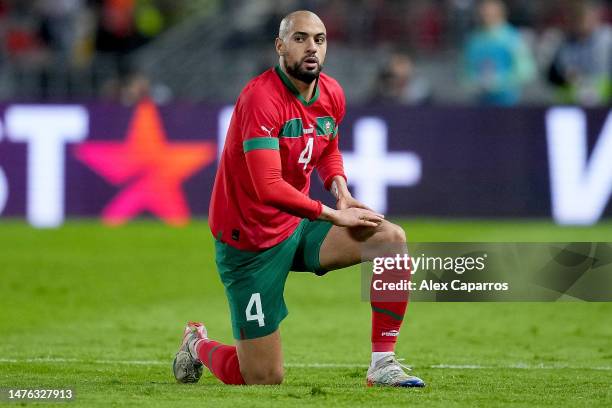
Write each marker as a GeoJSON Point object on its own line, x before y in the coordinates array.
{"type": "Point", "coordinates": [496, 57]}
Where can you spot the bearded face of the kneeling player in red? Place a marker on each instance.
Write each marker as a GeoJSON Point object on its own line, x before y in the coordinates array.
{"type": "Point", "coordinates": [304, 48]}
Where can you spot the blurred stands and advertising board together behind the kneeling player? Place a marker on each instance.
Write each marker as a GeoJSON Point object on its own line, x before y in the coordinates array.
{"type": "Point", "coordinates": [456, 108]}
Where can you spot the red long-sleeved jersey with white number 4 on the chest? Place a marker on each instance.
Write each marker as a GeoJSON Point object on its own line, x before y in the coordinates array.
{"type": "Point", "coordinates": [274, 141]}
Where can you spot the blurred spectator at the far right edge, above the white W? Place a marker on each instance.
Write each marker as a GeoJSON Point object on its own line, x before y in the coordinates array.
{"type": "Point", "coordinates": [581, 70]}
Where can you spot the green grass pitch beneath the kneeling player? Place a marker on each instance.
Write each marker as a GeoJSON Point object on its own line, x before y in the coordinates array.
{"type": "Point", "coordinates": [106, 307]}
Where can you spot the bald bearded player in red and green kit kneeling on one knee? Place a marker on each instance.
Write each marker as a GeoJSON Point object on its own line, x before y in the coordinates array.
{"type": "Point", "coordinates": [285, 124]}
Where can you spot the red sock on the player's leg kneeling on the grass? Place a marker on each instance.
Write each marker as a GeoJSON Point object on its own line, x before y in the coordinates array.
{"type": "Point", "coordinates": [221, 360]}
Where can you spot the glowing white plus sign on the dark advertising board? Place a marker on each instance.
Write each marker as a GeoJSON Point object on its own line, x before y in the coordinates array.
{"type": "Point", "coordinates": [371, 169]}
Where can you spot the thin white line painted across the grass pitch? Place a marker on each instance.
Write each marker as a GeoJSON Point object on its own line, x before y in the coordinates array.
{"type": "Point", "coordinates": [520, 366]}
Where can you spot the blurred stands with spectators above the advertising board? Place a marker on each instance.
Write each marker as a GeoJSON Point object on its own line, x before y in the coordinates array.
{"type": "Point", "coordinates": [420, 52]}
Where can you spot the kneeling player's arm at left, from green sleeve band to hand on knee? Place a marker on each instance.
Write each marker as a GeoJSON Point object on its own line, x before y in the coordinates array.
{"type": "Point", "coordinates": [264, 164]}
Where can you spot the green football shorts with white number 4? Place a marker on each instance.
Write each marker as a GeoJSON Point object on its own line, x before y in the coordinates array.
{"type": "Point", "coordinates": [255, 281]}
